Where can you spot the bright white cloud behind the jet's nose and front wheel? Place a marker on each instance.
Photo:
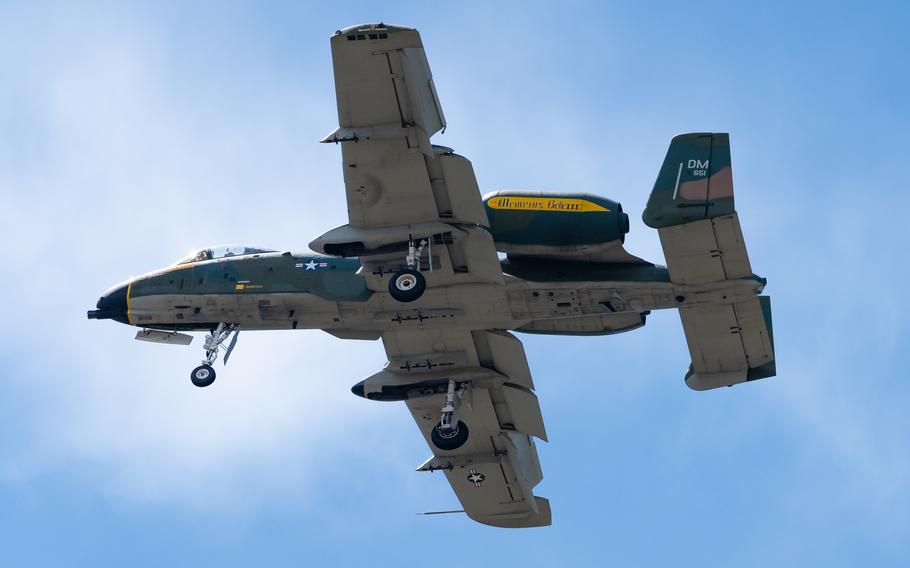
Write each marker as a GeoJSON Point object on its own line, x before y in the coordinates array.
{"type": "Point", "coordinates": [125, 176]}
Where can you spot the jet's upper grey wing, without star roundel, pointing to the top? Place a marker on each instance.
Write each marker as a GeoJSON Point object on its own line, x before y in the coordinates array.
{"type": "Point", "coordinates": [398, 185]}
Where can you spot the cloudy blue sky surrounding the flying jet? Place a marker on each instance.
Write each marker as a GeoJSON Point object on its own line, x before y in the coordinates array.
{"type": "Point", "coordinates": [132, 133]}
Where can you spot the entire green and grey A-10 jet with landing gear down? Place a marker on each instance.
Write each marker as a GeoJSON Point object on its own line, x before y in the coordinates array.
{"type": "Point", "coordinates": [417, 267]}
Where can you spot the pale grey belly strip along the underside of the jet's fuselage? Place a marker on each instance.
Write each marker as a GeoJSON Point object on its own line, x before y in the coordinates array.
{"type": "Point", "coordinates": [477, 306]}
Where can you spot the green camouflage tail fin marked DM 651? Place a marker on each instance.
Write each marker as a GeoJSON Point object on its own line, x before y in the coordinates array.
{"type": "Point", "coordinates": [694, 183]}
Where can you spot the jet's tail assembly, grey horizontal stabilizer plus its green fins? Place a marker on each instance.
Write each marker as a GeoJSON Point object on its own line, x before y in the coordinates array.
{"type": "Point", "coordinates": [691, 206]}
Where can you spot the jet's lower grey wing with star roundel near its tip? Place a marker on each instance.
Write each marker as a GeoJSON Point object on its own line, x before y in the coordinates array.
{"type": "Point", "coordinates": [495, 471]}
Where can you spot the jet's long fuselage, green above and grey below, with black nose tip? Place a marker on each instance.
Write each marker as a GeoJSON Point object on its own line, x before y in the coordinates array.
{"type": "Point", "coordinates": [277, 291]}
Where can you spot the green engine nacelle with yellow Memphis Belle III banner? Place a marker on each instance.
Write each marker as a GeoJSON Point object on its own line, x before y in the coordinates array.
{"type": "Point", "coordinates": [535, 223]}
